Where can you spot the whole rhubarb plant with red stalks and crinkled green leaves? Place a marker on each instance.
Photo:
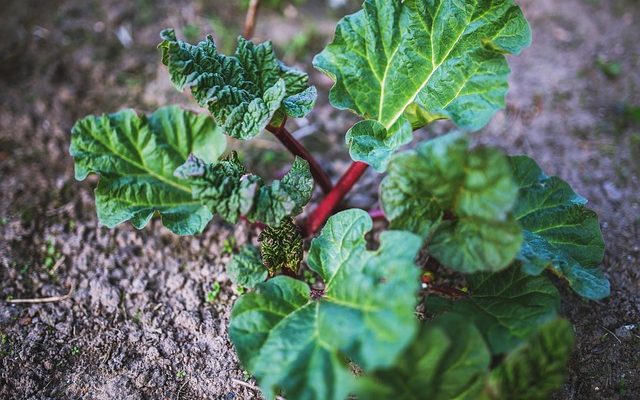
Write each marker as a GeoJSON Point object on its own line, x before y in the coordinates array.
{"type": "Point", "coordinates": [494, 234]}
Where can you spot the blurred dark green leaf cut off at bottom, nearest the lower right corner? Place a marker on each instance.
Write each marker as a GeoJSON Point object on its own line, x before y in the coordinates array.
{"type": "Point", "coordinates": [535, 370]}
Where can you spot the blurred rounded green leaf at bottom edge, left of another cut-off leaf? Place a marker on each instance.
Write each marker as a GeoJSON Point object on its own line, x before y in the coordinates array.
{"type": "Point", "coordinates": [448, 360]}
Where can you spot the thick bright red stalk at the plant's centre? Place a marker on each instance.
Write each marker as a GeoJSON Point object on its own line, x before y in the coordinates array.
{"type": "Point", "coordinates": [335, 196]}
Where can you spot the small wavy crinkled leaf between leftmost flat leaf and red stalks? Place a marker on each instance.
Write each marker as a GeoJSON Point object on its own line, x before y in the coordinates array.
{"type": "Point", "coordinates": [228, 190]}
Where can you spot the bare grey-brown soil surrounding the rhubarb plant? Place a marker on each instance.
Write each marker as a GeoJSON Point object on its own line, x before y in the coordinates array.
{"type": "Point", "coordinates": [134, 321]}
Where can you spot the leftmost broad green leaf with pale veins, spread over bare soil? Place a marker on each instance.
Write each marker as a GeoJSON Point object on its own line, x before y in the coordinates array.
{"type": "Point", "coordinates": [135, 157]}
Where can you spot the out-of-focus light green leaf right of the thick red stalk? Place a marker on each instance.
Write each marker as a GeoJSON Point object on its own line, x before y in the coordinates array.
{"type": "Point", "coordinates": [459, 199]}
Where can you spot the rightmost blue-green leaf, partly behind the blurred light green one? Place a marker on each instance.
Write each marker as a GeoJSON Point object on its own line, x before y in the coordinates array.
{"type": "Point", "coordinates": [560, 232]}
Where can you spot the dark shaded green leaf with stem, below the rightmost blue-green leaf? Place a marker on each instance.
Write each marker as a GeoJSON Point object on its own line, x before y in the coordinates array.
{"type": "Point", "coordinates": [507, 306]}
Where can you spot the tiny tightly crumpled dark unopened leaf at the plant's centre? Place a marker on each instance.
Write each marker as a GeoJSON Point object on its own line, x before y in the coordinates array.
{"type": "Point", "coordinates": [281, 247]}
